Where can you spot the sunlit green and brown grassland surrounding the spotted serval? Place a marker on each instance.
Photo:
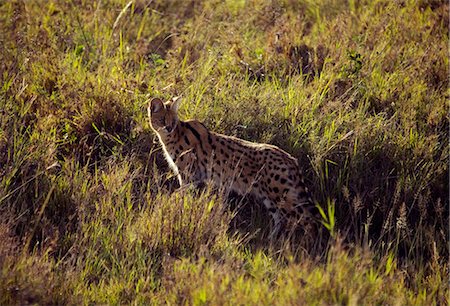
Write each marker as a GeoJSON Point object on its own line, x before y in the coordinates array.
{"type": "Point", "coordinates": [356, 90]}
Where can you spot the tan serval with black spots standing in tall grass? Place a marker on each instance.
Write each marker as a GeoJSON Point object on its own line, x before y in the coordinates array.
{"type": "Point", "coordinates": [197, 155]}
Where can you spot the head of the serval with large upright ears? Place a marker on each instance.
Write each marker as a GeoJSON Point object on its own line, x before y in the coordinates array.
{"type": "Point", "coordinates": [163, 115]}
